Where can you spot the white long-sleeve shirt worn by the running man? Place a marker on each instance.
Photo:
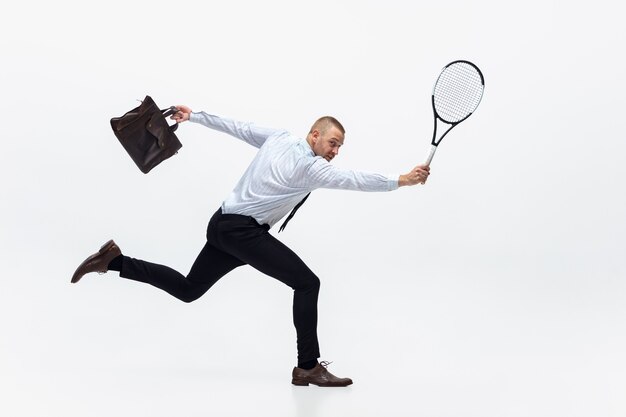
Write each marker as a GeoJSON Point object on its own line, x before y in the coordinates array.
{"type": "Point", "coordinates": [284, 171]}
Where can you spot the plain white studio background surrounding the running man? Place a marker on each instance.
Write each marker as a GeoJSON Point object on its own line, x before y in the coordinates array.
{"type": "Point", "coordinates": [498, 289]}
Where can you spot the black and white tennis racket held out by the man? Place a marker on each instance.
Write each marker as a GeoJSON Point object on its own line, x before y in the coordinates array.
{"type": "Point", "coordinates": [456, 95]}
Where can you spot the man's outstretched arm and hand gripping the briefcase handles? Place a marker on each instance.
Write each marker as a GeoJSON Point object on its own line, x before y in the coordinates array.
{"type": "Point", "coordinates": [247, 132]}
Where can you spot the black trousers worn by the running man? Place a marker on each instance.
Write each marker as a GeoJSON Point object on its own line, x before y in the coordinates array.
{"type": "Point", "coordinates": [234, 240]}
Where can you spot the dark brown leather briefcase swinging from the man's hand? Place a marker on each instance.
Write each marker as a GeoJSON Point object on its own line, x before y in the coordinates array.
{"type": "Point", "coordinates": [146, 135]}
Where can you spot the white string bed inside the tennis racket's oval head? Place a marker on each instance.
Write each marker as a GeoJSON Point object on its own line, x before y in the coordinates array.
{"type": "Point", "coordinates": [457, 92]}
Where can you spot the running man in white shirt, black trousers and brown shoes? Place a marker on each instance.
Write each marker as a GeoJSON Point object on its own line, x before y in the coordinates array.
{"type": "Point", "coordinates": [284, 171]}
